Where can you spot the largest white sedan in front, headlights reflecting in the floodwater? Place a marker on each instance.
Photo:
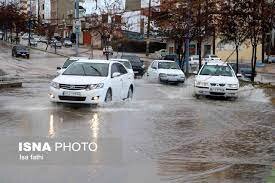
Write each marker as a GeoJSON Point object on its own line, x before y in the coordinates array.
{"type": "Point", "coordinates": [92, 82]}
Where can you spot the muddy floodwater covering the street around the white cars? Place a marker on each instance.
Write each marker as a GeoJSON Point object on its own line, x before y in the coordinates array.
{"type": "Point", "coordinates": [166, 134]}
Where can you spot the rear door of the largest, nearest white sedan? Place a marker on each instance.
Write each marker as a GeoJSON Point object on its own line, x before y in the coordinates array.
{"type": "Point", "coordinates": [126, 80]}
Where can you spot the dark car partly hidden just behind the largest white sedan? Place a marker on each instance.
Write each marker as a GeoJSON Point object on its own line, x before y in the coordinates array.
{"type": "Point", "coordinates": [137, 64]}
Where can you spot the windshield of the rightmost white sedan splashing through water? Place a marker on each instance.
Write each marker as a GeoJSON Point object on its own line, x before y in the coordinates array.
{"type": "Point", "coordinates": [216, 70]}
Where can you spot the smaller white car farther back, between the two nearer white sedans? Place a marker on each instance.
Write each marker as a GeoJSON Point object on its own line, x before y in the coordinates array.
{"type": "Point", "coordinates": [165, 71]}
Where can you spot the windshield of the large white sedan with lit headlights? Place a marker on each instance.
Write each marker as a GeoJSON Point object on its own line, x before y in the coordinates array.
{"type": "Point", "coordinates": [88, 69]}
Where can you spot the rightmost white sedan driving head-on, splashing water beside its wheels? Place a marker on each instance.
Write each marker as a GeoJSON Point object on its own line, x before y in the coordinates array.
{"type": "Point", "coordinates": [217, 79]}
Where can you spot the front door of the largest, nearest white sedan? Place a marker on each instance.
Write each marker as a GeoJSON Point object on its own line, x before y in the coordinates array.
{"type": "Point", "coordinates": [116, 82]}
